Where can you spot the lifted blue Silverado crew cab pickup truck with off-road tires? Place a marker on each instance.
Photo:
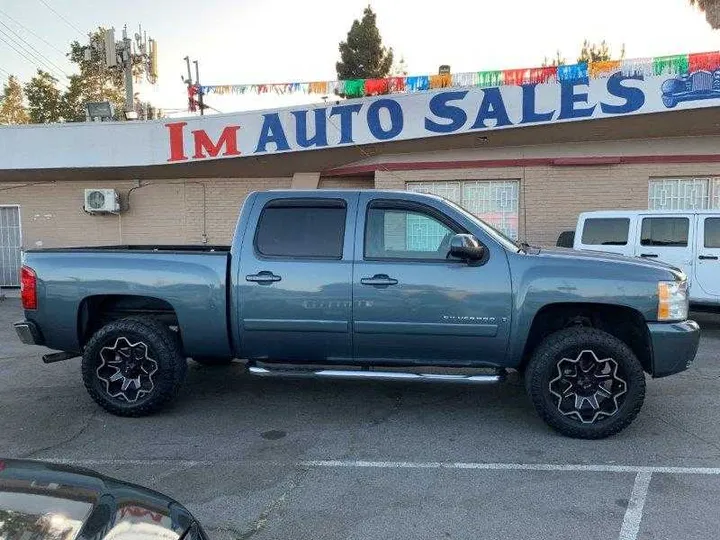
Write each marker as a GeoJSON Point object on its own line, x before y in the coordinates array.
{"type": "Point", "coordinates": [365, 285]}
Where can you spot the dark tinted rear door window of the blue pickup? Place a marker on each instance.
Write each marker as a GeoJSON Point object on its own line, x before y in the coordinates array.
{"type": "Point", "coordinates": [301, 229]}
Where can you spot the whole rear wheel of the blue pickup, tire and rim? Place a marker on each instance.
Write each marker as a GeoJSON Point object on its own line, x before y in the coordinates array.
{"type": "Point", "coordinates": [133, 366]}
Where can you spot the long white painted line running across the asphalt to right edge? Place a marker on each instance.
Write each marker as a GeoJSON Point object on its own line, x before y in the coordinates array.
{"type": "Point", "coordinates": [510, 467]}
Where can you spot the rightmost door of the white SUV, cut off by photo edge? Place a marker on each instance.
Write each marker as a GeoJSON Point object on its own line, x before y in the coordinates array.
{"type": "Point", "coordinates": [707, 260]}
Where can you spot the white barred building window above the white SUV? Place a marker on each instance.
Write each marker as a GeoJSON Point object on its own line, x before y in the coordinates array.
{"type": "Point", "coordinates": [684, 194]}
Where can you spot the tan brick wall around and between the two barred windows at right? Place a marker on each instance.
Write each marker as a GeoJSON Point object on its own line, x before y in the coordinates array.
{"type": "Point", "coordinates": [556, 195]}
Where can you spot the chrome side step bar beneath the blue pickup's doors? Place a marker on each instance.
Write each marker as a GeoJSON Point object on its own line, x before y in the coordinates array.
{"type": "Point", "coordinates": [377, 375]}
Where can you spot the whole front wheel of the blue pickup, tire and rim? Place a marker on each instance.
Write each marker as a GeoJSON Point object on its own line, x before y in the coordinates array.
{"type": "Point", "coordinates": [585, 383]}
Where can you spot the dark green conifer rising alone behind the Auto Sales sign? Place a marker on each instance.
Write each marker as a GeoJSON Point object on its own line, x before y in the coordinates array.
{"type": "Point", "coordinates": [362, 55]}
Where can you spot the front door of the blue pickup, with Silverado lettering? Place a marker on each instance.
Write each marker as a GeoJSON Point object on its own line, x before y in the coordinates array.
{"type": "Point", "coordinates": [414, 304]}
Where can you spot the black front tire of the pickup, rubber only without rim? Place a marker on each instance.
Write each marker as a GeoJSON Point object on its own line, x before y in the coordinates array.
{"type": "Point", "coordinates": [569, 343]}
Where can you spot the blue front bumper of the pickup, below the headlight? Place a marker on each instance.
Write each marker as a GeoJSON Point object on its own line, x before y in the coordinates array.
{"type": "Point", "coordinates": [674, 346]}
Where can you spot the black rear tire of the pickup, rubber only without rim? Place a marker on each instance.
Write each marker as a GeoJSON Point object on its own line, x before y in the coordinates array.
{"type": "Point", "coordinates": [163, 346]}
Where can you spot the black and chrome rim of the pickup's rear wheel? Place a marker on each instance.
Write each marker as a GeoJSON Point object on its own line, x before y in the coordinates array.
{"type": "Point", "coordinates": [126, 370]}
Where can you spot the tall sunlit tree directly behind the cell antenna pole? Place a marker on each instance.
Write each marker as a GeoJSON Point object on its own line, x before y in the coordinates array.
{"type": "Point", "coordinates": [95, 82]}
